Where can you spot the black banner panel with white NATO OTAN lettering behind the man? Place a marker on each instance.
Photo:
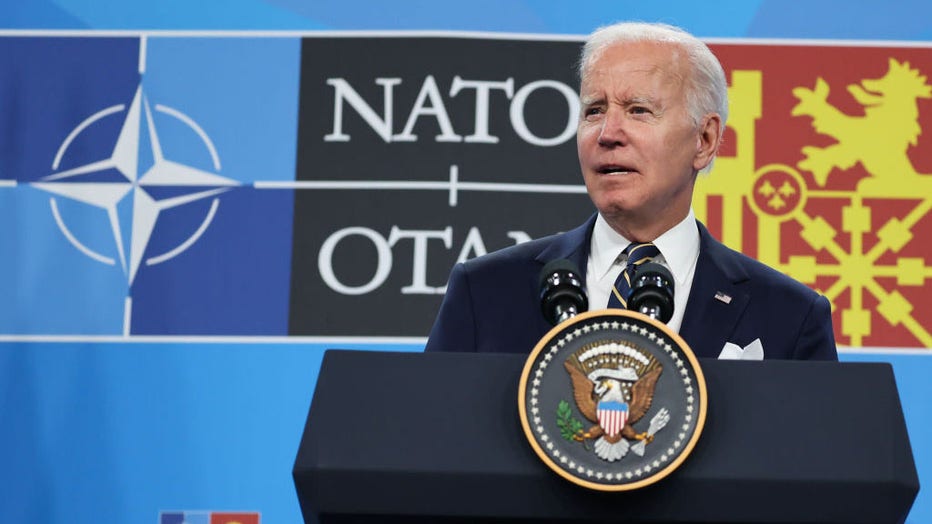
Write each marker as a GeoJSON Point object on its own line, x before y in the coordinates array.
{"type": "Point", "coordinates": [416, 153]}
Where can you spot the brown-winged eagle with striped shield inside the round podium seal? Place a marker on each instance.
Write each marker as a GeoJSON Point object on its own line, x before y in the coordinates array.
{"type": "Point", "coordinates": [613, 386]}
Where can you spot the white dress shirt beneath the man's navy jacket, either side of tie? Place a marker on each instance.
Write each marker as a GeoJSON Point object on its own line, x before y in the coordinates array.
{"type": "Point", "coordinates": [679, 251]}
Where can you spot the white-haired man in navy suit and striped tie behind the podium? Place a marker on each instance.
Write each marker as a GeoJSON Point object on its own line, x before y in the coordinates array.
{"type": "Point", "coordinates": [654, 105]}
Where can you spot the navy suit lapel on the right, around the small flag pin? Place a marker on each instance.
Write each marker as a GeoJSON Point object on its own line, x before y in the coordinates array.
{"type": "Point", "coordinates": [717, 298]}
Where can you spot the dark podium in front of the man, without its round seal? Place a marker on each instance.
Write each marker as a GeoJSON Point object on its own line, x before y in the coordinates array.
{"type": "Point", "coordinates": [436, 437]}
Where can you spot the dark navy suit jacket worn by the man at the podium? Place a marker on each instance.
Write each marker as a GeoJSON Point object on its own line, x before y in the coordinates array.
{"type": "Point", "coordinates": [493, 302]}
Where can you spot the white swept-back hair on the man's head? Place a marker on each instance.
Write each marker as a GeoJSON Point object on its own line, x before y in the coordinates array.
{"type": "Point", "coordinates": [706, 87]}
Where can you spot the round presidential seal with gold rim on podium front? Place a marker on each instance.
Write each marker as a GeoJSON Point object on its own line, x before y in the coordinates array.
{"type": "Point", "coordinates": [612, 400]}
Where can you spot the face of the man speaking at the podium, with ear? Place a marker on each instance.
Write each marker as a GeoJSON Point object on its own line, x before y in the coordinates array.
{"type": "Point", "coordinates": [638, 150]}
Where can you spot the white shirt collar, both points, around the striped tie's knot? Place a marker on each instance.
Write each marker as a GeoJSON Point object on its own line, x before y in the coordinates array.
{"type": "Point", "coordinates": [679, 246]}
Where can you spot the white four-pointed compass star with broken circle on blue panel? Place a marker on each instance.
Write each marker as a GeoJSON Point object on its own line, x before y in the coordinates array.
{"type": "Point", "coordinates": [135, 183]}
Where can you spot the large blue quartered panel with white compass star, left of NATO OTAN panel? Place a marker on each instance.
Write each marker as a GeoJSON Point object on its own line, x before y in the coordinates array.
{"type": "Point", "coordinates": [127, 183]}
